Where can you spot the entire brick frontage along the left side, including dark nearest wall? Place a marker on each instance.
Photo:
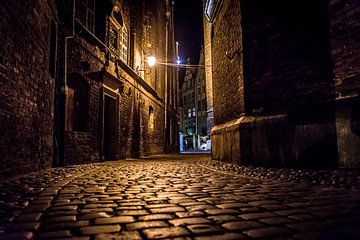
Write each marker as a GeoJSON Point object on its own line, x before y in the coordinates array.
{"type": "Point", "coordinates": [82, 90]}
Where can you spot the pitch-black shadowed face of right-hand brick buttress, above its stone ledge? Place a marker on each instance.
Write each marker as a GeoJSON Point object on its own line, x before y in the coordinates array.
{"type": "Point", "coordinates": [286, 54]}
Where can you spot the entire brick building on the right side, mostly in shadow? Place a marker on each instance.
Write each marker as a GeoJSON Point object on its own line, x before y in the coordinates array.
{"type": "Point", "coordinates": [286, 82]}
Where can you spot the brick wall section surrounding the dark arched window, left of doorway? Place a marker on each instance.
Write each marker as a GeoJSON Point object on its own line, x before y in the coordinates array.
{"type": "Point", "coordinates": [84, 146]}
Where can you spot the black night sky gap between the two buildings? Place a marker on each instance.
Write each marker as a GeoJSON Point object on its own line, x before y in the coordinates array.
{"type": "Point", "coordinates": [189, 28]}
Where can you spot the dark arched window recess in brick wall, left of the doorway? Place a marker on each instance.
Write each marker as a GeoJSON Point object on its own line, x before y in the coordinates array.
{"type": "Point", "coordinates": [78, 104]}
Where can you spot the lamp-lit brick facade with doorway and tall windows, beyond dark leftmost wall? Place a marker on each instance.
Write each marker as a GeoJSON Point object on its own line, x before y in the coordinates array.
{"type": "Point", "coordinates": [133, 98]}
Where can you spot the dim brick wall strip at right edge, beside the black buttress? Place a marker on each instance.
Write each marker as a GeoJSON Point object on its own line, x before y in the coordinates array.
{"type": "Point", "coordinates": [345, 51]}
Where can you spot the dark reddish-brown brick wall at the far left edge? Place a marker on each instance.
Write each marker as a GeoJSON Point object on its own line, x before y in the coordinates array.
{"type": "Point", "coordinates": [26, 96]}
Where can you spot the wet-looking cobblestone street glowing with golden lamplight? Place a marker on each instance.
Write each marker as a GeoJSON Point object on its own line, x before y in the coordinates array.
{"type": "Point", "coordinates": [182, 197]}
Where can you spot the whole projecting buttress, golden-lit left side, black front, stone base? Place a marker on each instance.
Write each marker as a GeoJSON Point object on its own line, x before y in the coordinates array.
{"type": "Point", "coordinates": [273, 86]}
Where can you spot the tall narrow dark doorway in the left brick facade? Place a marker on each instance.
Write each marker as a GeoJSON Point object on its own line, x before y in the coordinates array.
{"type": "Point", "coordinates": [110, 127]}
